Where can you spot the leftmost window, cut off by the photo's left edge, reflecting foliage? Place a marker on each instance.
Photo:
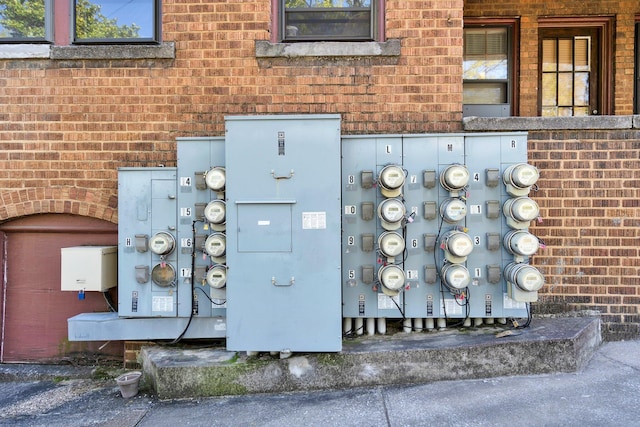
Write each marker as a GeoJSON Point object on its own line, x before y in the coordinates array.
{"type": "Point", "coordinates": [26, 21]}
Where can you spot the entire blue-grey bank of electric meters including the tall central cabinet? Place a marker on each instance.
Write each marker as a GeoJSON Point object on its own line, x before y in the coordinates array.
{"type": "Point", "coordinates": [285, 236]}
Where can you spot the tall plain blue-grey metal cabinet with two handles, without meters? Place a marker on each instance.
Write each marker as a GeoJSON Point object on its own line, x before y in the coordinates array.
{"type": "Point", "coordinates": [283, 225]}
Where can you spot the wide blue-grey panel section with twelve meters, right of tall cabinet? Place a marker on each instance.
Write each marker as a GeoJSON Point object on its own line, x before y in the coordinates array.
{"type": "Point", "coordinates": [435, 227]}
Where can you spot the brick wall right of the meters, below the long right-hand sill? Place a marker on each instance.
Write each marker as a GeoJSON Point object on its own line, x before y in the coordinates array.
{"type": "Point", "coordinates": [589, 197]}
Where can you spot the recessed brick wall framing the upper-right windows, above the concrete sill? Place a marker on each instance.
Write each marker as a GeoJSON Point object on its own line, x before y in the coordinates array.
{"type": "Point", "coordinates": [529, 11]}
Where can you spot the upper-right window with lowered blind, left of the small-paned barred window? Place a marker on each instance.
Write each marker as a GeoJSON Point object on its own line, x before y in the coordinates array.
{"type": "Point", "coordinates": [488, 69]}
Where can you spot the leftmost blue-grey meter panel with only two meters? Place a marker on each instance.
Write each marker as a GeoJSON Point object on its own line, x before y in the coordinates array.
{"type": "Point", "coordinates": [147, 244]}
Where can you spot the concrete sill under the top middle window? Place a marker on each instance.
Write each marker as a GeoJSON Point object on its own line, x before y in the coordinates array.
{"type": "Point", "coordinates": [265, 49]}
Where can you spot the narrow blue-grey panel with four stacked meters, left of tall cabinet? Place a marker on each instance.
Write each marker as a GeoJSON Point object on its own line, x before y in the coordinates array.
{"type": "Point", "coordinates": [202, 225]}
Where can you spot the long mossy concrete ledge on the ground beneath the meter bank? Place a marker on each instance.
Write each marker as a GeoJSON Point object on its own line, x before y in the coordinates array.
{"type": "Point", "coordinates": [548, 345]}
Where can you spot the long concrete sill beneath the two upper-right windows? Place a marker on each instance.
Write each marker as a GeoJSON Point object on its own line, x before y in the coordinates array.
{"type": "Point", "coordinates": [549, 123]}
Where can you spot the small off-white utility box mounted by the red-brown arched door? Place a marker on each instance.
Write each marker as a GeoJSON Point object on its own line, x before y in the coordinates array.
{"type": "Point", "coordinates": [89, 268]}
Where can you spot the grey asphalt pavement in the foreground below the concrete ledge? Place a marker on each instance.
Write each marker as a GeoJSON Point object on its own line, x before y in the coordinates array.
{"type": "Point", "coordinates": [604, 393]}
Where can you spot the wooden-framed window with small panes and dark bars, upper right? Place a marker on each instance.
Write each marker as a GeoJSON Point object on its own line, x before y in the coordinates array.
{"type": "Point", "coordinates": [575, 66]}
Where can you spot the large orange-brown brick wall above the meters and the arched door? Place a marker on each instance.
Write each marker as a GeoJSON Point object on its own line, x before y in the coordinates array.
{"type": "Point", "coordinates": [69, 124]}
